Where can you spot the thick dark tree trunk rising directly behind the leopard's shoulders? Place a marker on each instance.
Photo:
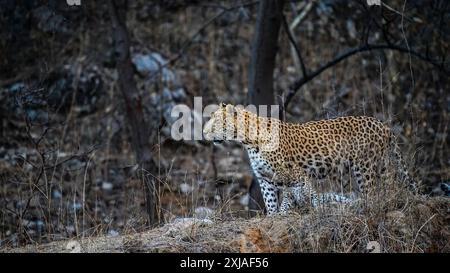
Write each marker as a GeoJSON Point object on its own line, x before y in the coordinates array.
{"type": "Point", "coordinates": [262, 64]}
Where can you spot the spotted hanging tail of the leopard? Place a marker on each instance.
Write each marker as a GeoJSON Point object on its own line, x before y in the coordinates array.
{"type": "Point", "coordinates": [402, 173]}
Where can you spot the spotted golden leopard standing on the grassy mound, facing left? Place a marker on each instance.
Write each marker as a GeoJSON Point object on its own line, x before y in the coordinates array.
{"type": "Point", "coordinates": [292, 160]}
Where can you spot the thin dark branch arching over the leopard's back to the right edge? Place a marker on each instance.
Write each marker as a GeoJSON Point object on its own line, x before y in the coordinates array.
{"type": "Point", "coordinates": [299, 83]}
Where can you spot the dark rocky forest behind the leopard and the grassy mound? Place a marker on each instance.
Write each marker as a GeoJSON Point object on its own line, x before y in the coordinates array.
{"type": "Point", "coordinates": [85, 145]}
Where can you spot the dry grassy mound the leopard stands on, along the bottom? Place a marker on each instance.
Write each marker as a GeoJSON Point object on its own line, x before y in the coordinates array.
{"type": "Point", "coordinates": [398, 221]}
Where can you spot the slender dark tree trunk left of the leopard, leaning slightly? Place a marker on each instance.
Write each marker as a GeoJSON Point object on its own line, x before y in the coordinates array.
{"type": "Point", "coordinates": [139, 129]}
